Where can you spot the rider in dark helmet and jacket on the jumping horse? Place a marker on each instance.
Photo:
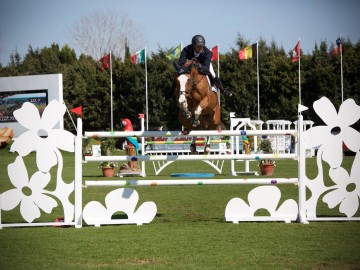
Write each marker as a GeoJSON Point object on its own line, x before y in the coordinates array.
{"type": "Point", "coordinates": [199, 51]}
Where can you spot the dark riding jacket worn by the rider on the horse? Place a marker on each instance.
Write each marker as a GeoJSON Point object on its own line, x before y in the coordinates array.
{"type": "Point", "coordinates": [204, 58]}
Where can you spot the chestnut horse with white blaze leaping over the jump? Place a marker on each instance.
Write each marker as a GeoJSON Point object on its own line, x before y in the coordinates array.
{"type": "Point", "coordinates": [199, 105]}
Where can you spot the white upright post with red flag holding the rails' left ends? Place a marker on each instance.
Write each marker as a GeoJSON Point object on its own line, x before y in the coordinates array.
{"type": "Point", "coordinates": [78, 175]}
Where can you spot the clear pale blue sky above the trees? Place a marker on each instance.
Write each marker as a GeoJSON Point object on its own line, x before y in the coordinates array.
{"type": "Point", "coordinates": [166, 23]}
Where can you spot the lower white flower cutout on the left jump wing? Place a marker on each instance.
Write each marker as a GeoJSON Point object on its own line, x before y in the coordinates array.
{"type": "Point", "coordinates": [27, 193]}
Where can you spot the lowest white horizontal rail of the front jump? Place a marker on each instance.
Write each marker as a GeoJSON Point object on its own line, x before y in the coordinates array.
{"type": "Point", "coordinates": [182, 182]}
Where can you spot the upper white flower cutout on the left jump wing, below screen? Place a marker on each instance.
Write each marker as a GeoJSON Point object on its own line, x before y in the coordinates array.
{"type": "Point", "coordinates": [29, 117]}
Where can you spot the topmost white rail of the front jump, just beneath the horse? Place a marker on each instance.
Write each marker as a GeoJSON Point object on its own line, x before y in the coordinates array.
{"type": "Point", "coordinates": [187, 134]}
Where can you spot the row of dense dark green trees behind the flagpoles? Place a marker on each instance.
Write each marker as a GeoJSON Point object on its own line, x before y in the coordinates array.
{"type": "Point", "coordinates": [86, 85]}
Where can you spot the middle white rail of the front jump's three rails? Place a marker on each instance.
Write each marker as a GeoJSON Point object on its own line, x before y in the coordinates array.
{"type": "Point", "coordinates": [191, 157]}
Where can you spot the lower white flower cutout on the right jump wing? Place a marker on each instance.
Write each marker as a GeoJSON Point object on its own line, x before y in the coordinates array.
{"type": "Point", "coordinates": [347, 190]}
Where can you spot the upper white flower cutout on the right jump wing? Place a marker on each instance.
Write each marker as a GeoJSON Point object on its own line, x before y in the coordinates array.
{"type": "Point", "coordinates": [336, 131]}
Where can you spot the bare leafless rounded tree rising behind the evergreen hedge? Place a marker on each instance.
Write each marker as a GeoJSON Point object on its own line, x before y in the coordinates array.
{"type": "Point", "coordinates": [102, 31]}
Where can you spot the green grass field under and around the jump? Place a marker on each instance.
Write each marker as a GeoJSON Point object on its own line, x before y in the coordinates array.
{"type": "Point", "coordinates": [189, 231]}
